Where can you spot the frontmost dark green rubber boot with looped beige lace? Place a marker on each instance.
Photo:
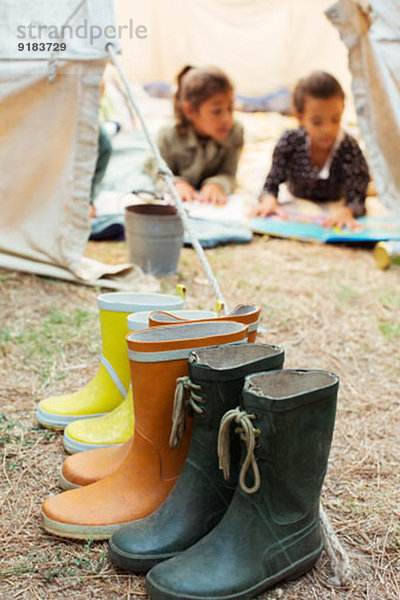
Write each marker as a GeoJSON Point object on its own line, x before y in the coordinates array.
{"type": "Point", "coordinates": [271, 531]}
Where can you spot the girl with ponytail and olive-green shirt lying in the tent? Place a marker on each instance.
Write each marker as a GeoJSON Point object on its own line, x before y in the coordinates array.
{"type": "Point", "coordinates": [202, 148]}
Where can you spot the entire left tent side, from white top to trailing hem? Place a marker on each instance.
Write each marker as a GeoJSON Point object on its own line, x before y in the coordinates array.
{"type": "Point", "coordinates": [48, 147]}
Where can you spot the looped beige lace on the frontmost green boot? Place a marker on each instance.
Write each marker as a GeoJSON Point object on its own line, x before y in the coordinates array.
{"type": "Point", "coordinates": [248, 434]}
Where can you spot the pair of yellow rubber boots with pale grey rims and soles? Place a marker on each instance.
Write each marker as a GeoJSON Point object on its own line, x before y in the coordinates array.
{"type": "Point", "coordinates": [101, 414]}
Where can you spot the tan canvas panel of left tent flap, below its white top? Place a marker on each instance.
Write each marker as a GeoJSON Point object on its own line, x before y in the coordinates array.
{"type": "Point", "coordinates": [49, 134]}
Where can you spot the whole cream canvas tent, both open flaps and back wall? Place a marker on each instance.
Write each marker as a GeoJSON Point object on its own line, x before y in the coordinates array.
{"type": "Point", "coordinates": [49, 100]}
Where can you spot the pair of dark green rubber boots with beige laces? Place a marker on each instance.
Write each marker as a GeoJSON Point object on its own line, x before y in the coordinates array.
{"type": "Point", "coordinates": [244, 514]}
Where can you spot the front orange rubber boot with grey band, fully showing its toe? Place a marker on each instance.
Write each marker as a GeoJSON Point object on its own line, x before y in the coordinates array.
{"type": "Point", "coordinates": [139, 486]}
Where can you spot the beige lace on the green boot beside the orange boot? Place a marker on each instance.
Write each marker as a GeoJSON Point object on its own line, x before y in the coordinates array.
{"type": "Point", "coordinates": [185, 399]}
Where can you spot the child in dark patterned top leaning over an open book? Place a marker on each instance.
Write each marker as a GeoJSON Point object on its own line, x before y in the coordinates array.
{"type": "Point", "coordinates": [318, 161]}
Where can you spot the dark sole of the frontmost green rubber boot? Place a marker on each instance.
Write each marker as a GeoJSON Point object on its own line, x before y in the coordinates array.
{"type": "Point", "coordinates": [297, 570]}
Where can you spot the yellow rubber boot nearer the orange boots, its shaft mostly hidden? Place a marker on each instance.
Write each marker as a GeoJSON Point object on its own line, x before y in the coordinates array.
{"type": "Point", "coordinates": [116, 427]}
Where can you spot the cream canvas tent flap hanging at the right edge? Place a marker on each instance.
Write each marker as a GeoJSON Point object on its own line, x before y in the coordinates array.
{"type": "Point", "coordinates": [372, 36]}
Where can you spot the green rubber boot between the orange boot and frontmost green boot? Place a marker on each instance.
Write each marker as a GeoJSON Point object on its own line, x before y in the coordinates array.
{"type": "Point", "coordinates": [201, 496]}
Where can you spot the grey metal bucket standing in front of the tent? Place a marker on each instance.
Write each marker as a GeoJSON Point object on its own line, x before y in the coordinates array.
{"type": "Point", "coordinates": [154, 234]}
